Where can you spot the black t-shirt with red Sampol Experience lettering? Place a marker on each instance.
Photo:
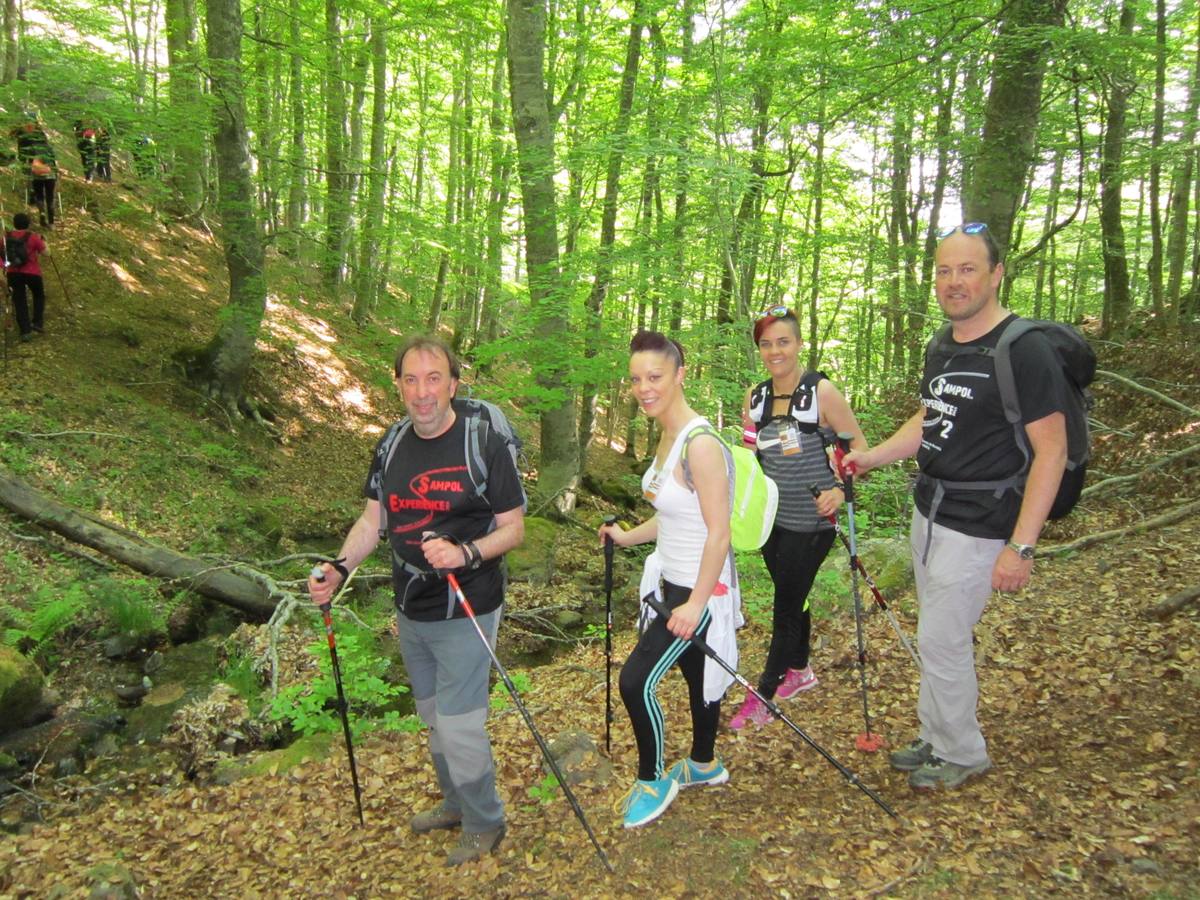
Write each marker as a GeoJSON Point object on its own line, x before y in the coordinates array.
{"type": "Point", "coordinates": [429, 489]}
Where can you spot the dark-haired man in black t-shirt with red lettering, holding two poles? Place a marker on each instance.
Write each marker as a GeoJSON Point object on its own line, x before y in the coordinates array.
{"type": "Point", "coordinates": [440, 518]}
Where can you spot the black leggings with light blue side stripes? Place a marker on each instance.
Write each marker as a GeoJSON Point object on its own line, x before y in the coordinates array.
{"type": "Point", "coordinates": [656, 653]}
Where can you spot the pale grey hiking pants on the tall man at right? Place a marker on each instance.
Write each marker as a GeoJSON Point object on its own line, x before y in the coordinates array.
{"type": "Point", "coordinates": [953, 587]}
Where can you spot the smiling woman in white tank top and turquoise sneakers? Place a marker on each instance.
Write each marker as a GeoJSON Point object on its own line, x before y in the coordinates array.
{"type": "Point", "coordinates": [691, 572]}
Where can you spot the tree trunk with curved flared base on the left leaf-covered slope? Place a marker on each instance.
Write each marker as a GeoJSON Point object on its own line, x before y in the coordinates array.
{"type": "Point", "coordinates": [227, 359]}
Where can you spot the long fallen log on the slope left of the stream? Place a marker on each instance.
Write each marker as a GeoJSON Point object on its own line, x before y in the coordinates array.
{"type": "Point", "coordinates": [218, 583]}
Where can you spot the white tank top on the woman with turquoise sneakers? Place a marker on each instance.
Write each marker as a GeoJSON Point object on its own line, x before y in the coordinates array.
{"type": "Point", "coordinates": [682, 530]}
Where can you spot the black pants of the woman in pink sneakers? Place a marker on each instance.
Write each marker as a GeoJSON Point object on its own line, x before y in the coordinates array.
{"type": "Point", "coordinates": [793, 559]}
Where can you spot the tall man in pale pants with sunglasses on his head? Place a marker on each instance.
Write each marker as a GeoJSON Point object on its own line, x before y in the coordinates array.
{"type": "Point", "coordinates": [970, 538]}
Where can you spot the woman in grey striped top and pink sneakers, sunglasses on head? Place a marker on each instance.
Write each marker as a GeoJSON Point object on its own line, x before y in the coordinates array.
{"type": "Point", "coordinates": [790, 419]}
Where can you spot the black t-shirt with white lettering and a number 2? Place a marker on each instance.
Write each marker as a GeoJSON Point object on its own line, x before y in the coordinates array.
{"type": "Point", "coordinates": [965, 436]}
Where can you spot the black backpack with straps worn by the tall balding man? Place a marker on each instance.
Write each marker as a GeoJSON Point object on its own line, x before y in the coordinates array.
{"type": "Point", "coordinates": [1078, 362]}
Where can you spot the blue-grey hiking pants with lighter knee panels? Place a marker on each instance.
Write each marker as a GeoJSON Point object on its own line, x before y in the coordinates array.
{"type": "Point", "coordinates": [448, 671]}
